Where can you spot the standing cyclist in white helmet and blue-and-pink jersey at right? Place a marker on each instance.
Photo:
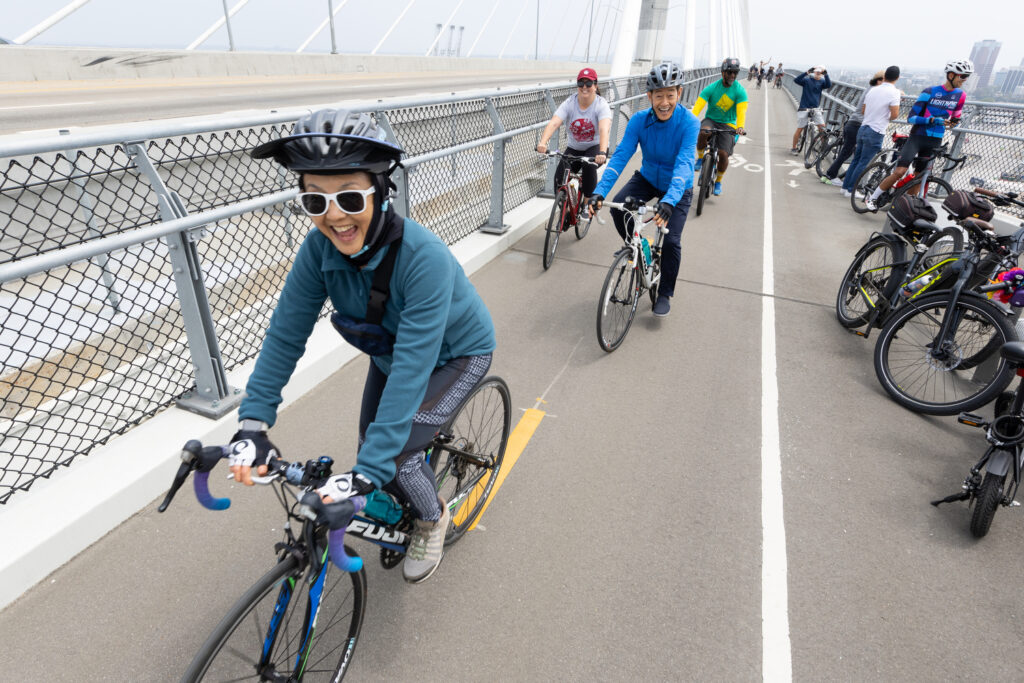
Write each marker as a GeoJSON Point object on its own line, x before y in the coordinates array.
{"type": "Point", "coordinates": [937, 108]}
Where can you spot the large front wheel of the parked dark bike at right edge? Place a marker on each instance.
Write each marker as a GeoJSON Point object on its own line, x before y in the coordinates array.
{"type": "Point", "coordinates": [933, 376]}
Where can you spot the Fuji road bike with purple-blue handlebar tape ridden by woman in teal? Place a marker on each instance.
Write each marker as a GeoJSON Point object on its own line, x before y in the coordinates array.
{"type": "Point", "coordinates": [277, 631]}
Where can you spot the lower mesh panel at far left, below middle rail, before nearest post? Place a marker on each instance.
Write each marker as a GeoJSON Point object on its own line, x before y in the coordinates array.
{"type": "Point", "coordinates": [89, 351]}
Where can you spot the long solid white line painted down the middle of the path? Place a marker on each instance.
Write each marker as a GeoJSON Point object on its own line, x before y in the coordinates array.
{"type": "Point", "coordinates": [777, 658]}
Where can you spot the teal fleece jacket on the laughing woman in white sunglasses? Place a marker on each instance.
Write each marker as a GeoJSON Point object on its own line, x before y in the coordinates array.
{"type": "Point", "coordinates": [434, 311]}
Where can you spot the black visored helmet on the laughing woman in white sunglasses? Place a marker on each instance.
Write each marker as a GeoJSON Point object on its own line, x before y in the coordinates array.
{"type": "Point", "coordinates": [334, 141]}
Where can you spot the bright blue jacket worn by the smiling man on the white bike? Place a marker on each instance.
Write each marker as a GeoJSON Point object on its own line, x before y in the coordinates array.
{"type": "Point", "coordinates": [668, 148]}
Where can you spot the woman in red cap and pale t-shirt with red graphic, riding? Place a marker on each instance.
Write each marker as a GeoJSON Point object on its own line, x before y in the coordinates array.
{"type": "Point", "coordinates": [589, 119]}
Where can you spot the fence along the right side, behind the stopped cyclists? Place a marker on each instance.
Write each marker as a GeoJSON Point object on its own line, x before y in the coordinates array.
{"type": "Point", "coordinates": [991, 136]}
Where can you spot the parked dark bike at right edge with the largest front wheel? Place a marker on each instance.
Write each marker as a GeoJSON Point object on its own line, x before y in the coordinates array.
{"type": "Point", "coordinates": [938, 355]}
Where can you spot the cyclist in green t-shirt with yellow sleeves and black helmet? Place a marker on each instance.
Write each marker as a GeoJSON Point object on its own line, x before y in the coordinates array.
{"type": "Point", "coordinates": [727, 102]}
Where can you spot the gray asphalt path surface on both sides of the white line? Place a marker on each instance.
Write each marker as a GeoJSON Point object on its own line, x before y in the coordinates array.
{"type": "Point", "coordinates": [626, 543]}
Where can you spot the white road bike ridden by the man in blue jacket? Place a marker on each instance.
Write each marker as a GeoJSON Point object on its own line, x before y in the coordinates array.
{"type": "Point", "coordinates": [637, 267]}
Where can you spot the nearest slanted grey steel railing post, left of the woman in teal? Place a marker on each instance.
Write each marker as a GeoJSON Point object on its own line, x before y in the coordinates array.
{"type": "Point", "coordinates": [212, 397]}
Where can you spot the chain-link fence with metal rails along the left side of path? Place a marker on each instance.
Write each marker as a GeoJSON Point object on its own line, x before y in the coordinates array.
{"type": "Point", "coordinates": [138, 269]}
